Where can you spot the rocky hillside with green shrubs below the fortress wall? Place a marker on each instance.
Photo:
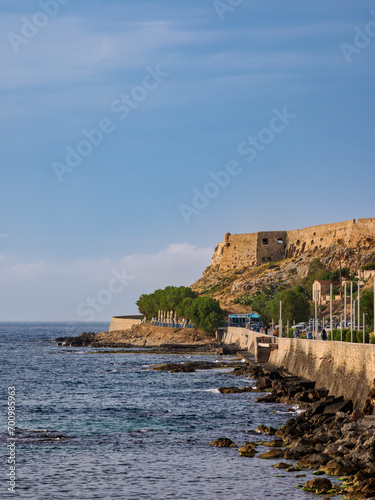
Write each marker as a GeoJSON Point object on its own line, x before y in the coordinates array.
{"type": "Point", "coordinates": [261, 288]}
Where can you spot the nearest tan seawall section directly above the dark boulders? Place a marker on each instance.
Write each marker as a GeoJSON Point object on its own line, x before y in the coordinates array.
{"type": "Point", "coordinates": [343, 368]}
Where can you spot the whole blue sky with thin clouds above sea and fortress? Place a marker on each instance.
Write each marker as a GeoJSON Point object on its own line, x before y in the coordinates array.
{"type": "Point", "coordinates": [179, 86]}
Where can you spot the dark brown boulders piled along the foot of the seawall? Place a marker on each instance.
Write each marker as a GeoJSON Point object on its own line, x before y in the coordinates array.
{"type": "Point", "coordinates": [329, 436]}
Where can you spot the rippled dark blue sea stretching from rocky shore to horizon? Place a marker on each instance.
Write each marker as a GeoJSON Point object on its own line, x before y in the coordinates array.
{"type": "Point", "coordinates": [104, 426]}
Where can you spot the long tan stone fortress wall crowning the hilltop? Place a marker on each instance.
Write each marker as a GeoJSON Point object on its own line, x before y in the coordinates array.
{"type": "Point", "coordinates": [254, 249]}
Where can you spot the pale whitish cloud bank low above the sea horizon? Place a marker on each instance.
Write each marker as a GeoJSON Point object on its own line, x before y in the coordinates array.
{"type": "Point", "coordinates": [50, 291]}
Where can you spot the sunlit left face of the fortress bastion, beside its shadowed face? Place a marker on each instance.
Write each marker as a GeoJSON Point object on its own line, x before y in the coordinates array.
{"type": "Point", "coordinates": [240, 250]}
